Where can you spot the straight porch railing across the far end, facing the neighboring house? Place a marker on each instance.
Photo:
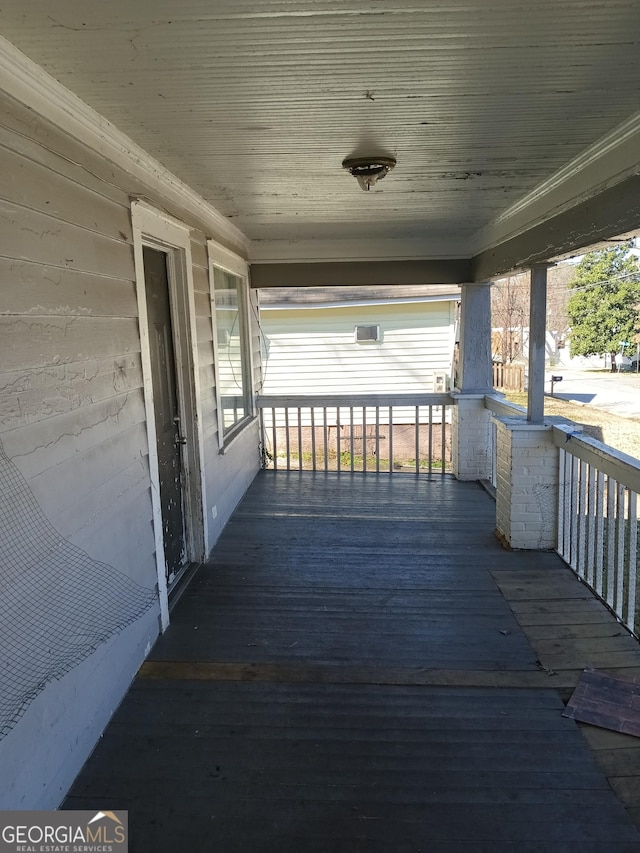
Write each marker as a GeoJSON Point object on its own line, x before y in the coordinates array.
{"type": "Point", "coordinates": [362, 432]}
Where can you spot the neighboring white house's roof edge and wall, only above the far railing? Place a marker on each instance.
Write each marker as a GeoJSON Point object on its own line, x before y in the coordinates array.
{"type": "Point", "coordinates": [358, 340]}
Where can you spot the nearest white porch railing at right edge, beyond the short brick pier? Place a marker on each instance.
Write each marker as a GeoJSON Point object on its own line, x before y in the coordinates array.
{"type": "Point", "coordinates": [598, 520]}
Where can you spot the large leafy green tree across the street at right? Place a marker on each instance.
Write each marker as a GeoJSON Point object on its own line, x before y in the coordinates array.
{"type": "Point", "coordinates": [602, 307]}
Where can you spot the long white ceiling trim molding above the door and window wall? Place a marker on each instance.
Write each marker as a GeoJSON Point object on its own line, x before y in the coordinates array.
{"type": "Point", "coordinates": [28, 83]}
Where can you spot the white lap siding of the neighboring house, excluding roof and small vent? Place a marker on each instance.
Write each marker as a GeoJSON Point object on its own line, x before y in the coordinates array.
{"type": "Point", "coordinates": [313, 350]}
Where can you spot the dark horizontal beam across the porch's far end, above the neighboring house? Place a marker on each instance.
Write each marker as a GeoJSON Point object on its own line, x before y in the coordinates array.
{"type": "Point", "coordinates": [360, 273]}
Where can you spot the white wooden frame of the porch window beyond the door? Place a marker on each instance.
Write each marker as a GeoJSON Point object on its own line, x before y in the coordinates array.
{"type": "Point", "coordinates": [224, 259]}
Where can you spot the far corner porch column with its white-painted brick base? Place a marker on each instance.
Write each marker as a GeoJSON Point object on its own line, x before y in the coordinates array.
{"type": "Point", "coordinates": [471, 426]}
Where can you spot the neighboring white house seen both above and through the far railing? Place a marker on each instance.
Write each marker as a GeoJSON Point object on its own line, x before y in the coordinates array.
{"type": "Point", "coordinates": [344, 342]}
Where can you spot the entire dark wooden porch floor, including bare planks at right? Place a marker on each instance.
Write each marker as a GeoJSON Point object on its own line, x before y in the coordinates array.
{"type": "Point", "coordinates": [361, 667]}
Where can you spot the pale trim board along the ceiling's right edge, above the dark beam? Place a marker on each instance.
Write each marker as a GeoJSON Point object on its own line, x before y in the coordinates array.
{"type": "Point", "coordinates": [609, 161]}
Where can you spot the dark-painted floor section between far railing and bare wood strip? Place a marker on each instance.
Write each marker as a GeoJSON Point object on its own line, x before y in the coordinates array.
{"type": "Point", "coordinates": [364, 587]}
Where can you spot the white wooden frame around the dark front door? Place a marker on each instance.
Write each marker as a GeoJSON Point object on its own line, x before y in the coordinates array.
{"type": "Point", "coordinates": [158, 230]}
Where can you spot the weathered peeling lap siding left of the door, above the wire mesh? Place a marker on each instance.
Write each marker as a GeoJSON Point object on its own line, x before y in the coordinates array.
{"type": "Point", "coordinates": [72, 411]}
